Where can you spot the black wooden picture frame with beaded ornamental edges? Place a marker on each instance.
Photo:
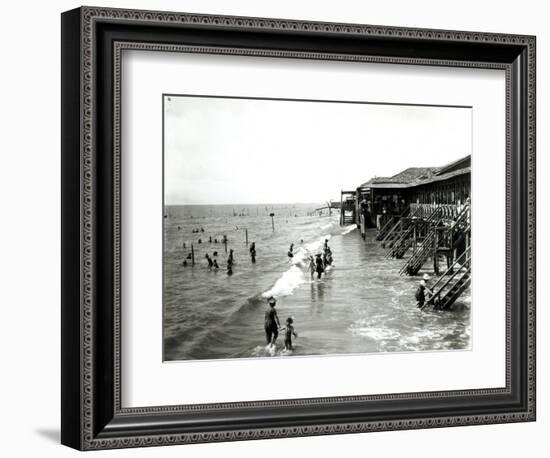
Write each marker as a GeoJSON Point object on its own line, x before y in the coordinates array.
{"type": "Point", "coordinates": [92, 40]}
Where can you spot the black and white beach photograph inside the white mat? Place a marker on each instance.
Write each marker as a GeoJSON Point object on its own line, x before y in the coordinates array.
{"type": "Point", "coordinates": [314, 227]}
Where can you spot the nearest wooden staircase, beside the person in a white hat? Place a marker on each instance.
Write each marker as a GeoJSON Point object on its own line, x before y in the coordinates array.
{"type": "Point", "coordinates": [452, 283]}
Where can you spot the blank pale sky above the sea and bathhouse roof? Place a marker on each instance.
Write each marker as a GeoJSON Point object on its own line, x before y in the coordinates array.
{"type": "Point", "coordinates": [233, 150]}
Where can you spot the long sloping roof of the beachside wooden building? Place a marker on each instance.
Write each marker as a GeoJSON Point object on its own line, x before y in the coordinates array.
{"type": "Point", "coordinates": [416, 176]}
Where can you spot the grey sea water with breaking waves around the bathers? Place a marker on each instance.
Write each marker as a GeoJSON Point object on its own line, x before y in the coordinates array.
{"type": "Point", "coordinates": [361, 305]}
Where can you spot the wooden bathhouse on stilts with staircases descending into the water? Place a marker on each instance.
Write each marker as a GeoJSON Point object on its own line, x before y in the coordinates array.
{"type": "Point", "coordinates": [422, 215]}
